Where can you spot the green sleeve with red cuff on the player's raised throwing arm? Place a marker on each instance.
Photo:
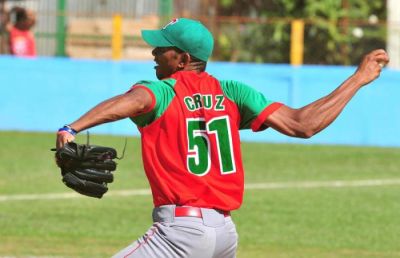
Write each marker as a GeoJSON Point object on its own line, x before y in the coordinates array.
{"type": "Point", "coordinates": [253, 106]}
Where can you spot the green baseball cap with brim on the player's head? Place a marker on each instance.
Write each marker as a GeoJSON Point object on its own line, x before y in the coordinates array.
{"type": "Point", "coordinates": [188, 35]}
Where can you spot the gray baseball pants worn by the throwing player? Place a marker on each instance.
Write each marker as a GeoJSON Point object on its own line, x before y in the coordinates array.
{"type": "Point", "coordinates": [211, 236]}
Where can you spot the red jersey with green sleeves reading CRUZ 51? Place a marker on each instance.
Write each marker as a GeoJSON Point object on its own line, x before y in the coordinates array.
{"type": "Point", "coordinates": [190, 139]}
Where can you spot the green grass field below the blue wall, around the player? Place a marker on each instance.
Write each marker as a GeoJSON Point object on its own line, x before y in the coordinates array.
{"type": "Point", "coordinates": [295, 222]}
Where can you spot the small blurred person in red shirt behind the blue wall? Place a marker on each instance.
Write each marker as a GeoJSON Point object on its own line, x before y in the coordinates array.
{"type": "Point", "coordinates": [21, 38]}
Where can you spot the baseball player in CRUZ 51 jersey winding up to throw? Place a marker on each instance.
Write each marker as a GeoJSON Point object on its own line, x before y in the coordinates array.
{"type": "Point", "coordinates": [189, 123]}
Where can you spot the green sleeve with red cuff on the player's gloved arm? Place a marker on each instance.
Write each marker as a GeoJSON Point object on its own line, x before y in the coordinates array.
{"type": "Point", "coordinates": [162, 93]}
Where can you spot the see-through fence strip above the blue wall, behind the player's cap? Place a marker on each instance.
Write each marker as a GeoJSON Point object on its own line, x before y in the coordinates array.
{"type": "Point", "coordinates": [83, 28]}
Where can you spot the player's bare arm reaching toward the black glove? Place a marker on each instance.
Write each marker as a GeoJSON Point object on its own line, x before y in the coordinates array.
{"type": "Point", "coordinates": [119, 107]}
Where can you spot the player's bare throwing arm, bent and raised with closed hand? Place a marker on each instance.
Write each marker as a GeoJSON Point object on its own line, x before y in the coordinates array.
{"type": "Point", "coordinates": [313, 118]}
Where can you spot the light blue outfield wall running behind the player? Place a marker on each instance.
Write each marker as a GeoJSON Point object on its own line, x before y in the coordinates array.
{"type": "Point", "coordinates": [43, 94]}
